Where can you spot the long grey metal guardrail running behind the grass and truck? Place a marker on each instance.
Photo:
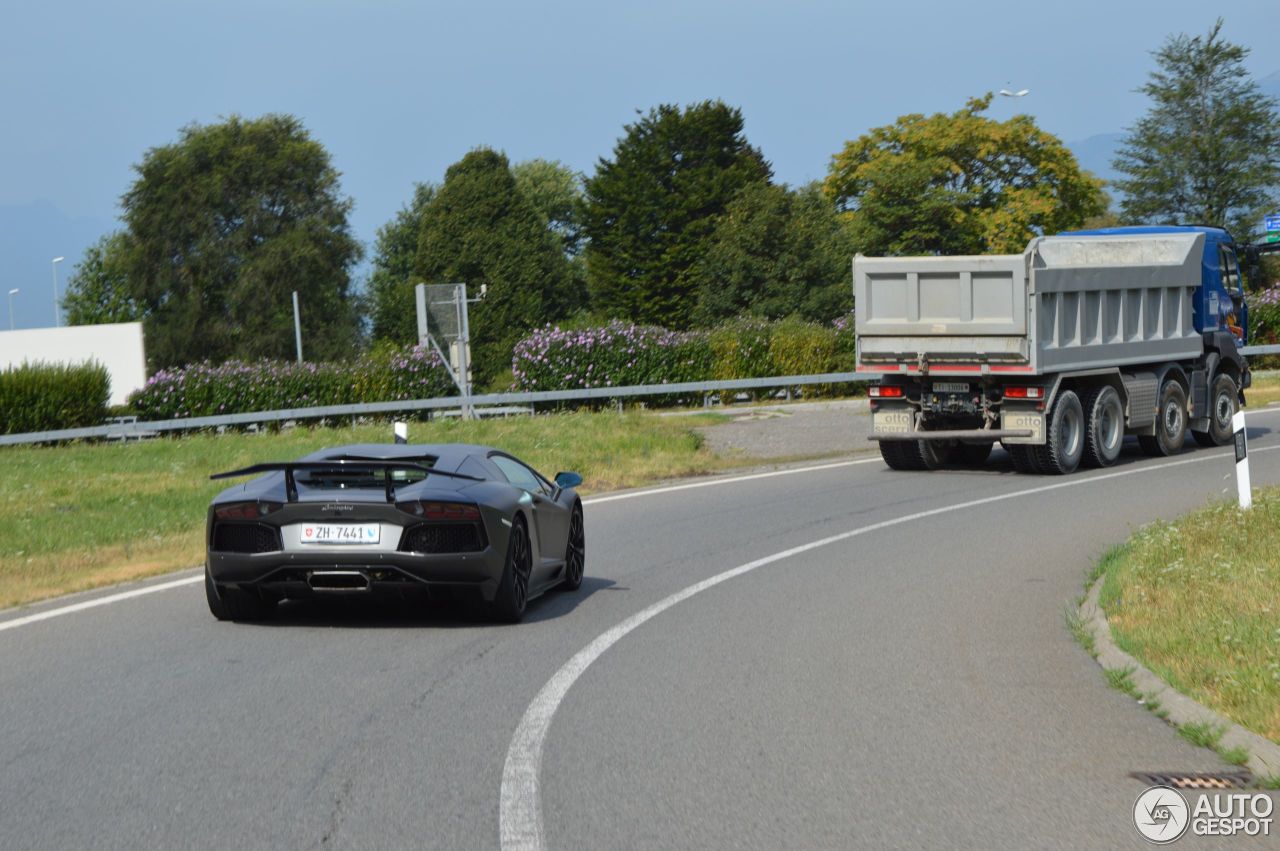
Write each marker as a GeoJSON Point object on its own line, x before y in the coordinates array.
{"type": "Point", "coordinates": [131, 431]}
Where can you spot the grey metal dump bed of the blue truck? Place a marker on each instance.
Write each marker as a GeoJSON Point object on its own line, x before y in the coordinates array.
{"type": "Point", "coordinates": [1066, 304]}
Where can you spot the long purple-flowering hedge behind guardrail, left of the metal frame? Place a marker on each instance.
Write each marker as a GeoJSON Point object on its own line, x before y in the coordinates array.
{"type": "Point", "coordinates": [236, 387]}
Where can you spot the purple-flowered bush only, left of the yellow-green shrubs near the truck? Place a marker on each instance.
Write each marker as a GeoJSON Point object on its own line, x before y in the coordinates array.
{"type": "Point", "coordinates": [614, 355]}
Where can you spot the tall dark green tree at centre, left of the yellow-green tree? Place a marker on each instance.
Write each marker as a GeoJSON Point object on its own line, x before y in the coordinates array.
{"type": "Point", "coordinates": [651, 211]}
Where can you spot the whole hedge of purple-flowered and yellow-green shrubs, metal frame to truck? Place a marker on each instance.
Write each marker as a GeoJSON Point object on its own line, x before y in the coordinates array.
{"type": "Point", "coordinates": [616, 355]}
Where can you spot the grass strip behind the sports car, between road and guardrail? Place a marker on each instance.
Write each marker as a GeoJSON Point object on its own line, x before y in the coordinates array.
{"type": "Point", "coordinates": [81, 516]}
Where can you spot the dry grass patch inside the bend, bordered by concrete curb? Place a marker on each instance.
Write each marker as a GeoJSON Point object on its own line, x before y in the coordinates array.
{"type": "Point", "coordinates": [1199, 602]}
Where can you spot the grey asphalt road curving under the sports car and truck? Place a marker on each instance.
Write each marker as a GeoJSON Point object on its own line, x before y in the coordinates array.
{"type": "Point", "coordinates": [909, 687]}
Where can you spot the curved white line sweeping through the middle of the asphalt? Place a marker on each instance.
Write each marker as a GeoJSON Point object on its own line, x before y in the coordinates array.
{"type": "Point", "coordinates": [520, 813]}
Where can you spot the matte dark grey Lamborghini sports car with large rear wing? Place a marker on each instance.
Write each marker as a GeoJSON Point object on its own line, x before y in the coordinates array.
{"type": "Point", "coordinates": [394, 518]}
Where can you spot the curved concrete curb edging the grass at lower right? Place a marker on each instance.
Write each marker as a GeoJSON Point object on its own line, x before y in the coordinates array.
{"type": "Point", "coordinates": [1264, 754]}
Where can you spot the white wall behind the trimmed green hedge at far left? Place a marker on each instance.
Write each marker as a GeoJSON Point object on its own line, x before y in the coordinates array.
{"type": "Point", "coordinates": [118, 347]}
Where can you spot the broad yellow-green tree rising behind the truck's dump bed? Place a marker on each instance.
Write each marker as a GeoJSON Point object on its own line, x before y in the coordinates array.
{"type": "Point", "coordinates": [961, 184]}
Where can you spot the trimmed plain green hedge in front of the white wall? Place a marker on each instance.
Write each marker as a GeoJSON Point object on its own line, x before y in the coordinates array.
{"type": "Point", "coordinates": [43, 397]}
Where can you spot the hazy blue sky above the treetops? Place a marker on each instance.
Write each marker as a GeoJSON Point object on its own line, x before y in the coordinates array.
{"type": "Point", "coordinates": [399, 90]}
